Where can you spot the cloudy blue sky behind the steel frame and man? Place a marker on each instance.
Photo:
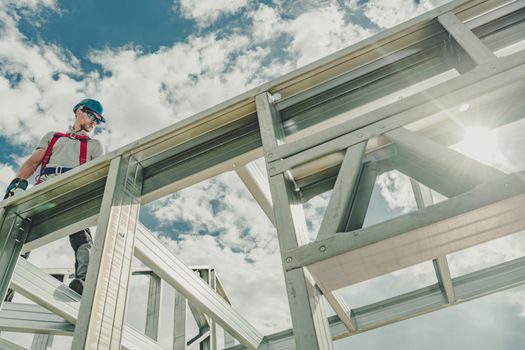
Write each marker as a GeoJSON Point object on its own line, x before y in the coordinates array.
{"type": "Point", "coordinates": [153, 63]}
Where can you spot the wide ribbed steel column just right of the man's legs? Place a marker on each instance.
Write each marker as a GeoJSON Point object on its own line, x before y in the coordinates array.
{"type": "Point", "coordinates": [102, 309]}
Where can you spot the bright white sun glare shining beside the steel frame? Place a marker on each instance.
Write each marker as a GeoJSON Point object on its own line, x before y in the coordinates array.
{"type": "Point", "coordinates": [480, 144]}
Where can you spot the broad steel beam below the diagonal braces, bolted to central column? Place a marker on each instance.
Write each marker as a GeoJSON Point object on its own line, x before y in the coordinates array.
{"type": "Point", "coordinates": [487, 212]}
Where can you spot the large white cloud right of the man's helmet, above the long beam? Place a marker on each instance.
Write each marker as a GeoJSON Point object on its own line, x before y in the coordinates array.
{"type": "Point", "coordinates": [157, 89]}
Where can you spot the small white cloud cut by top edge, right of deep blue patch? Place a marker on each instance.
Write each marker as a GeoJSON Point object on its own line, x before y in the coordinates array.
{"type": "Point", "coordinates": [207, 11]}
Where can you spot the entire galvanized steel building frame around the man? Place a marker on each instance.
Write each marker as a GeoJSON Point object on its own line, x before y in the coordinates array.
{"type": "Point", "coordinates": [389, 102]}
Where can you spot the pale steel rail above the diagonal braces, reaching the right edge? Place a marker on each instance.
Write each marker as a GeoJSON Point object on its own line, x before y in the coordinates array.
{"type": "Point", "coordinates": [484, 79]}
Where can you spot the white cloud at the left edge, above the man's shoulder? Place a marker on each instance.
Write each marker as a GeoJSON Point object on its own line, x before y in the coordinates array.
{"type": "Point", "coordinates": [41, 93]}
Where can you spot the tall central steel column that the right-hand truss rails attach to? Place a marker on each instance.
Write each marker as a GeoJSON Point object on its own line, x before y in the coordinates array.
{"type": "Point", "coordinates": [309, 320]}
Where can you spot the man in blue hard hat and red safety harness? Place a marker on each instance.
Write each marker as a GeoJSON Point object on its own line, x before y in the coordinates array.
{"type": "Point", "coordinates": [57, 153]}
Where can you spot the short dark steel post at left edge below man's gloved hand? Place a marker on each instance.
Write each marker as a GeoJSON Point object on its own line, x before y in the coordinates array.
{"type": "Point", "coordinates": [13, 233]}
